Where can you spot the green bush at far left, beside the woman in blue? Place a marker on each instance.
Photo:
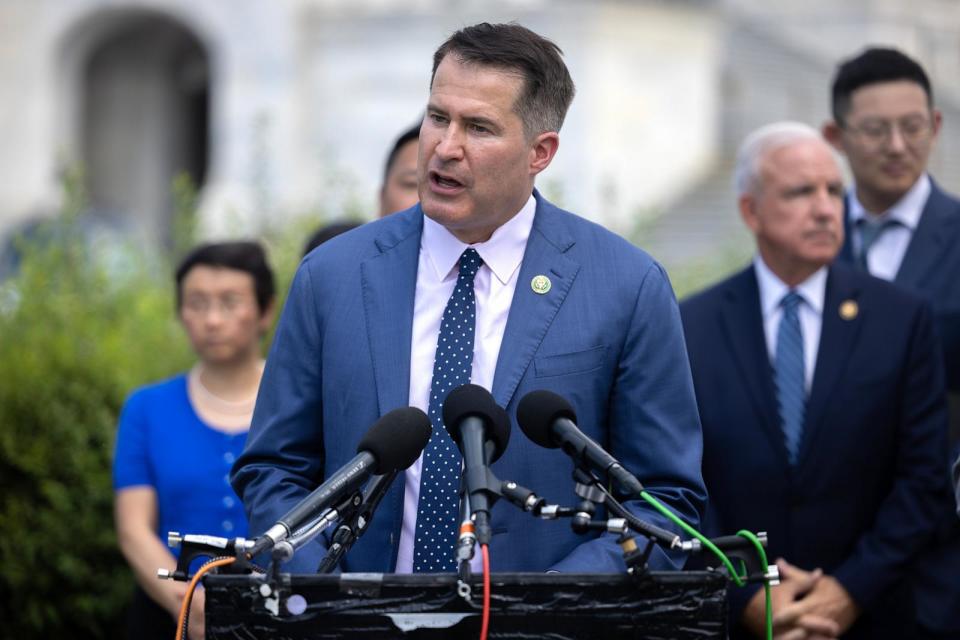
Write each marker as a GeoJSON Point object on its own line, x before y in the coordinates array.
{"type": "Point", "coordinates": [78, 331]}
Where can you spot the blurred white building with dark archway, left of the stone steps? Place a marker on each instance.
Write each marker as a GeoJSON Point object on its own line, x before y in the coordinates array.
{"type": "Point", "coordinates": [278, 107]}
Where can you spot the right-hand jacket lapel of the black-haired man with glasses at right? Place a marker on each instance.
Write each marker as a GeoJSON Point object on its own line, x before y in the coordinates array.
{"type": "Point", "coordinates": [935, 234]}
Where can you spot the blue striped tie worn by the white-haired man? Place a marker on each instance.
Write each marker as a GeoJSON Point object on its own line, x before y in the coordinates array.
{"type": "Point", "coordinates": [788, 375]}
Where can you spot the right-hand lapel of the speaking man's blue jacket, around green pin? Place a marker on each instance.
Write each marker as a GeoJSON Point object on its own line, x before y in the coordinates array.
{"type": "Point", "coordinates": [531, 313]}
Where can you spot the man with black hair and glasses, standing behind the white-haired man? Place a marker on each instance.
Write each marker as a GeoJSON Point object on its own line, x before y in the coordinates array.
{"type": "Point", "coordinates": [900, 226]}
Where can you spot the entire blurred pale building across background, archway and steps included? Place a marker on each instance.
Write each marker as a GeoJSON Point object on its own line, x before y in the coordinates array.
{"type": "Point", "coordinates": [277, 108]}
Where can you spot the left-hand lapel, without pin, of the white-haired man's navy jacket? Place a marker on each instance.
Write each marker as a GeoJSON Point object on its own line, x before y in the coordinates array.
{"type": "Point", "coordinates": [742, 320]}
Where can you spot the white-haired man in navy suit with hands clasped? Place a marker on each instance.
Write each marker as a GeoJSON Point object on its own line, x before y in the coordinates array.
{"type": "Point", "coordinates": [821, 396]}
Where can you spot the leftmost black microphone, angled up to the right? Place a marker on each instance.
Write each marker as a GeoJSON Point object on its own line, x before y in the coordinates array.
{"type": "Point", "coordinates": [394, 442]}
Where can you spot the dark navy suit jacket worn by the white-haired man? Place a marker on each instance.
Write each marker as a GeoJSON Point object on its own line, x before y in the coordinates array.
{"type": "Point", "coordinates": [861, 500]}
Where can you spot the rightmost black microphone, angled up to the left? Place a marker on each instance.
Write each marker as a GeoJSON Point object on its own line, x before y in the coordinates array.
{"type": "Point", "coordinates": [549, 421]}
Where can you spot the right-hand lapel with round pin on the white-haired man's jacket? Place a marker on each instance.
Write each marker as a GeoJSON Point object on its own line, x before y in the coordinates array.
{"type": "Point", "coordinates": [838, 336]}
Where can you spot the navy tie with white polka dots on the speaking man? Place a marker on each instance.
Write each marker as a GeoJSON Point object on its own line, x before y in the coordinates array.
{"type": "Point", "coordinates": [439, 506]}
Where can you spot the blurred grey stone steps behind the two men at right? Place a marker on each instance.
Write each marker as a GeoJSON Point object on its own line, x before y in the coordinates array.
{"type": "Point", "coordinates": [777, 60]}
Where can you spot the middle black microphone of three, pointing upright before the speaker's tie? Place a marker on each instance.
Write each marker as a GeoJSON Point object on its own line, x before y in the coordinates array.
{"type": "Point", "coordinates": [481, 429]}
